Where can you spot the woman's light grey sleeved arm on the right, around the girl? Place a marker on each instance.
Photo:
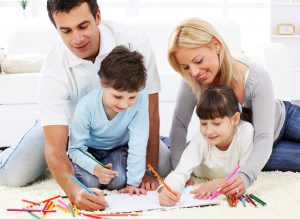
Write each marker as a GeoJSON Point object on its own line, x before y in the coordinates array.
{"type": "Point", "coordinates": [263, 112]}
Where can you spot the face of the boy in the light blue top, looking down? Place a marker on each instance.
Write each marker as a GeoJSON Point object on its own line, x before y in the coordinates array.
{"type": "Point", "coordinates": [118, 101]}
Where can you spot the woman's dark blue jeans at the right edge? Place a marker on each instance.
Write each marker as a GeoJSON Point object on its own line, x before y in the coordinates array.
{"type": "Point", "coordinates": [286, 149]}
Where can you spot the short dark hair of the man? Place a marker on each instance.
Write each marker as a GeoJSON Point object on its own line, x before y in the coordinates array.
{"type": "Point", "coordinates": [56, 6]}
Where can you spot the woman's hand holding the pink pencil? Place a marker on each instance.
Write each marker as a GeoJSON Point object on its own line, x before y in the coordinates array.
{"type": "Point", "coordinates": [234, 187]}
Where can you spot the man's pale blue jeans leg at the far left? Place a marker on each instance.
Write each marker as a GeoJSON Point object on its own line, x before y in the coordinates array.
{"type": "Point", "coordinates": [24, 161]}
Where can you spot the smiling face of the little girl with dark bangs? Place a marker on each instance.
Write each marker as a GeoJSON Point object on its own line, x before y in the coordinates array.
{"type": "Point", "coordinates": [219, 131]}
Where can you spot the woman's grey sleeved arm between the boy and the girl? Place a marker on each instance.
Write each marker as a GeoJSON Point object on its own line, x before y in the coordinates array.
{"type": "Point", "coordinates": [185, 105]}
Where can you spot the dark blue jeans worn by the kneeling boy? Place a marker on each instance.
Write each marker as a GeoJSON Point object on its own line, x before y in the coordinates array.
{"type": "Point", "coordinates": [117, 156]}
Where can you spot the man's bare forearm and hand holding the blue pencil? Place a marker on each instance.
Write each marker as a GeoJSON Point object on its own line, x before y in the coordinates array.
{"type": "Point", "coordinates": [56, 138]}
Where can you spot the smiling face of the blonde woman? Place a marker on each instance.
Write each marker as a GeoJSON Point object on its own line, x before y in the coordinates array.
{"type": "Point", "coordinates": [201, 63]}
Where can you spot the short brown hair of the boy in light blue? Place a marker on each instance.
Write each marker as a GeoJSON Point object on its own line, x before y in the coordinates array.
{"type": "Point", "coordinates": [123, 70]}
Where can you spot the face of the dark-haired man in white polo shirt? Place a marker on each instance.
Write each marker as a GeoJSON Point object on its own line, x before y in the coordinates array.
{"type": "Point", "coordinates": [79, 31]}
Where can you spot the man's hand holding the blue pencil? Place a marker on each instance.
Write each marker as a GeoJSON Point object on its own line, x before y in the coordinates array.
{"type": "Point", "coordinates": [90, 202]}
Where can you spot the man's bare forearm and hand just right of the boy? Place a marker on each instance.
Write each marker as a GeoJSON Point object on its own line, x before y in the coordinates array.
{"type": "Point", "coordinates": [150, 182]}
